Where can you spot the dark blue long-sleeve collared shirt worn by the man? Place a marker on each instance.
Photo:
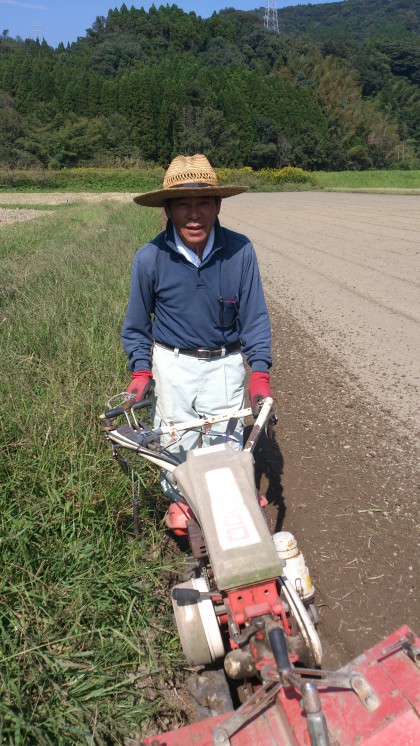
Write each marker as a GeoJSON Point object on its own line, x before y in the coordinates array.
{"type": "Point", "coordinates": [210, 306]}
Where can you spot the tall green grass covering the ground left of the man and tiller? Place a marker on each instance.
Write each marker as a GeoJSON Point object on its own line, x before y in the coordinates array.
{"type": "Point", "coordinates": [85, 608]}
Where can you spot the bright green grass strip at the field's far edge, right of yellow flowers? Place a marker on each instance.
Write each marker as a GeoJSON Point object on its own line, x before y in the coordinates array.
{"type": "Point", "coordinates": [369, 180]}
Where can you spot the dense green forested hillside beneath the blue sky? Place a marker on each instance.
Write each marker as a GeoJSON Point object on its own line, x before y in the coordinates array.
{"type": "Point", "coordinates": [337, 88]}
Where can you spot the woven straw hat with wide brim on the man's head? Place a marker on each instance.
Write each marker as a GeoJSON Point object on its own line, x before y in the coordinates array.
{"type": "Point", "coordinates": [188, 176]}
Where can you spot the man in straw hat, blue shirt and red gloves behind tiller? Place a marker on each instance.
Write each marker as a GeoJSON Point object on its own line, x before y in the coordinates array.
{"type": "Point", "coordinates": [196, 306]}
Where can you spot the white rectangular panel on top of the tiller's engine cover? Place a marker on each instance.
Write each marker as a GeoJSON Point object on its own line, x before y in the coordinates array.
{"type": "Point", "coordinates": [233, 521]}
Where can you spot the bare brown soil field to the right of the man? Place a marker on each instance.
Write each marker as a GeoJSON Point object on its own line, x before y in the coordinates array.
{"type": "Point", "coordinates": [341, 275]}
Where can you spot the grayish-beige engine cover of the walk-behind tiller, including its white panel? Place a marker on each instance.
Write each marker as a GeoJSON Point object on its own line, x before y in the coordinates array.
{"type": "Point", "coordinates": [219, 485]}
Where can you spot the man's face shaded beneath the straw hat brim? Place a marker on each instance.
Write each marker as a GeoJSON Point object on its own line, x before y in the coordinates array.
{"type": "Point", "coordinates": [193, 218]}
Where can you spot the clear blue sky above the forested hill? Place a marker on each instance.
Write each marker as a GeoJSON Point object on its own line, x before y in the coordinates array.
{"type": "Point", "coordinates": [65, 20]}
